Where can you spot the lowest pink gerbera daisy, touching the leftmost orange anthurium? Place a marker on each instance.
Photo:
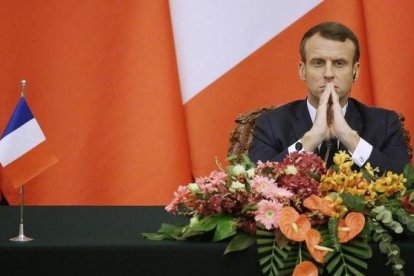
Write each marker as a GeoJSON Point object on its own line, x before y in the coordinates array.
{"type": "Point", "coordinates": [268, 213]}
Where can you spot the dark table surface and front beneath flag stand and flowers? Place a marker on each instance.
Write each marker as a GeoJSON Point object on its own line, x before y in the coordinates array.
{"type": "Point", "coordinates": [107, 241]}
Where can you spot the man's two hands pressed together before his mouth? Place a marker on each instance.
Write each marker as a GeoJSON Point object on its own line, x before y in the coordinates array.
{"type": "Point", "coordinates": [330, 123]}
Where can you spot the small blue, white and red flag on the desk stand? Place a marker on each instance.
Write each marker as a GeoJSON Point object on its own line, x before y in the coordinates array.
{"type": "Point", "coordinates": [24, 152]}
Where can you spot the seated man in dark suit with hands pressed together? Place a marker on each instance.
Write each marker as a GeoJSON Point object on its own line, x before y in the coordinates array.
{"type": "Point", "coordinates": [329, 118]}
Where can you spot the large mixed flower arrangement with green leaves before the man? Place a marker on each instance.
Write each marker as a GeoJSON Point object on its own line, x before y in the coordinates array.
{"type": "Point", "coordinates": [303, 217]}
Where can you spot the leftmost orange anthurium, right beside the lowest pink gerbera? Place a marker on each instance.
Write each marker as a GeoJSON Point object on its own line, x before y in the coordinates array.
{"type": "Point", "coordinates": [293, 225]}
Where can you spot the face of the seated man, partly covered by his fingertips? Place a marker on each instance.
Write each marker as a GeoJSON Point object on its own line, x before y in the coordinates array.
{"type": "Point", "coordinates": [328, 61]}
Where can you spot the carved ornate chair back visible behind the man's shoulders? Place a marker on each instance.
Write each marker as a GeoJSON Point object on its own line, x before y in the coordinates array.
{"type": "Point", "coordinates": [242, 135]}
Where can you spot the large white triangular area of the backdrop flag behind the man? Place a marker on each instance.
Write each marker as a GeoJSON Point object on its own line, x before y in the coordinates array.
{"type": "Point", "coordinates": [212, 36]}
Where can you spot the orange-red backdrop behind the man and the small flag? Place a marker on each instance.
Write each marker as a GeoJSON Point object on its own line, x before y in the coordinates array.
{"type": "Point", "coordinates": [103, 85]}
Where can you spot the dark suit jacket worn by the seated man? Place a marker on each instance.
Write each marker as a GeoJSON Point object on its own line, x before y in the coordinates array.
{"type": "Point", "coordinates": [276, 130]}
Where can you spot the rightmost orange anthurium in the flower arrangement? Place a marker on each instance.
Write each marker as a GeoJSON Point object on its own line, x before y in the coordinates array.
{"type": "Point", "coordinates": [350, 227]}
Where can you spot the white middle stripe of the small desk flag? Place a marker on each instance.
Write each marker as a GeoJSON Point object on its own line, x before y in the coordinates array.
{"type": "Point", "coordinates": [20, 141]}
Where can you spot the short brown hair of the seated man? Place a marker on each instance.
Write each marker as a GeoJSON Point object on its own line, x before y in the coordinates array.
{"type": "Point", "coordinates": [330, 30]}
